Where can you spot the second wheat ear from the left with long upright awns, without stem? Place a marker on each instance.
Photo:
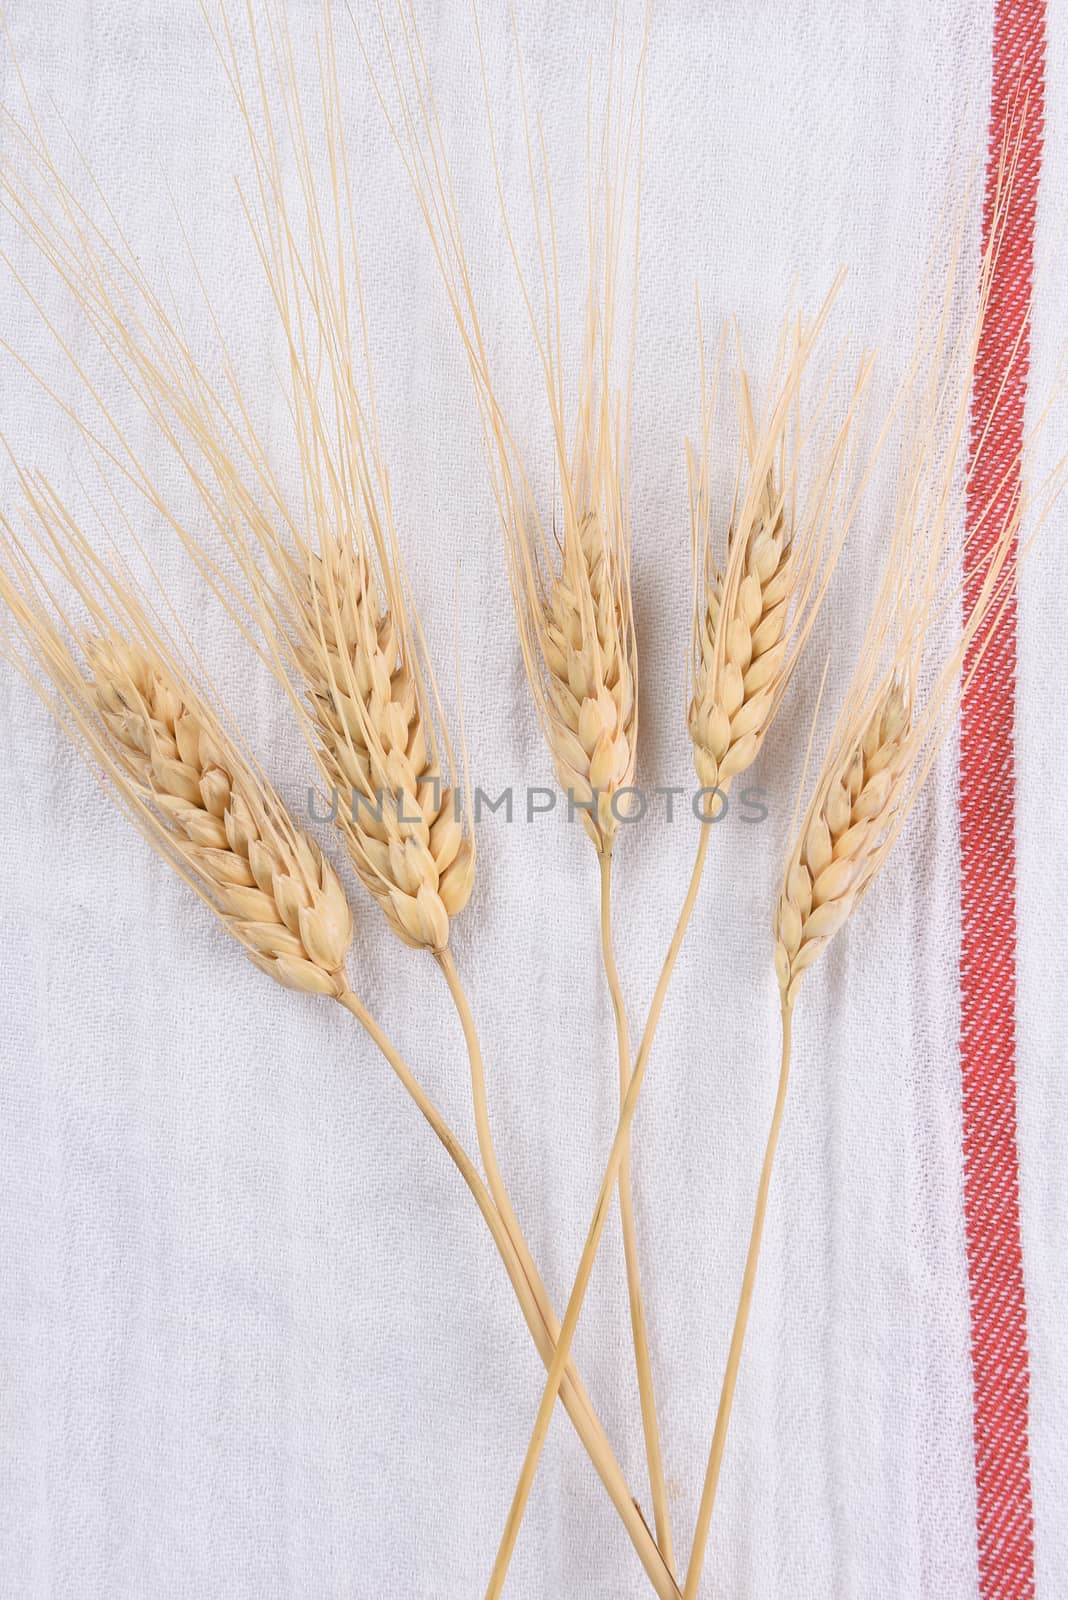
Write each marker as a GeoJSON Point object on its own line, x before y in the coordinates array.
{"type": "Point", "coordinates": [340, 598]}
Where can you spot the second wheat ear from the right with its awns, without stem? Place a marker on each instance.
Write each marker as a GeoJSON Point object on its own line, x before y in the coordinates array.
{"type": "Point", "coordinates": [754, 609]}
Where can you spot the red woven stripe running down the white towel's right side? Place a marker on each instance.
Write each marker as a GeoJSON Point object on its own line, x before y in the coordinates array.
{"type": "Point", "coordinates": [989, 922]}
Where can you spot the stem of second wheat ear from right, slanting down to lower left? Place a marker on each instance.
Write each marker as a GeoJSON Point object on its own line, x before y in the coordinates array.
{"type": "Point", "coordinates": [594, 1238]}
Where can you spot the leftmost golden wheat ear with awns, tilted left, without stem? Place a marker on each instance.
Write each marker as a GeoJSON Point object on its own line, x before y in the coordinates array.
{"type": "Point", "coordinates": [133, 714]}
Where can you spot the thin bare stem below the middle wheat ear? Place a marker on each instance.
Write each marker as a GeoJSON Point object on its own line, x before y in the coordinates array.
{"type": "Point", "coordinates": [644, 1364]}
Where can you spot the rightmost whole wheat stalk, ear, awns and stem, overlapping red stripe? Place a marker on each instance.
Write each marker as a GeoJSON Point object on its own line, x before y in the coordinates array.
{"type": "Point", "coordinates": [899, 706]}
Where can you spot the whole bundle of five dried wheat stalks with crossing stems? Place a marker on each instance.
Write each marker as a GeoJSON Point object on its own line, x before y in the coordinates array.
{"type": "Point", "coordinates": [317, 583]}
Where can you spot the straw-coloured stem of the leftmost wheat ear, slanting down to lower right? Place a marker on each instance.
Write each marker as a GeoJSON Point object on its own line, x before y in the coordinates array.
{"type": "Point", "coordinates": [543, 1329]}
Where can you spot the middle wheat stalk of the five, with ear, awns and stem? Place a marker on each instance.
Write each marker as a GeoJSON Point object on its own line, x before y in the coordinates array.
{"type": "Point", "coordinates": [572, 593]}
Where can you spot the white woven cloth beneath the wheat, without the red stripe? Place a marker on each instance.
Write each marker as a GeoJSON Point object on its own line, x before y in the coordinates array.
{"type": "Point", "coordinates": [255, 1342]}
